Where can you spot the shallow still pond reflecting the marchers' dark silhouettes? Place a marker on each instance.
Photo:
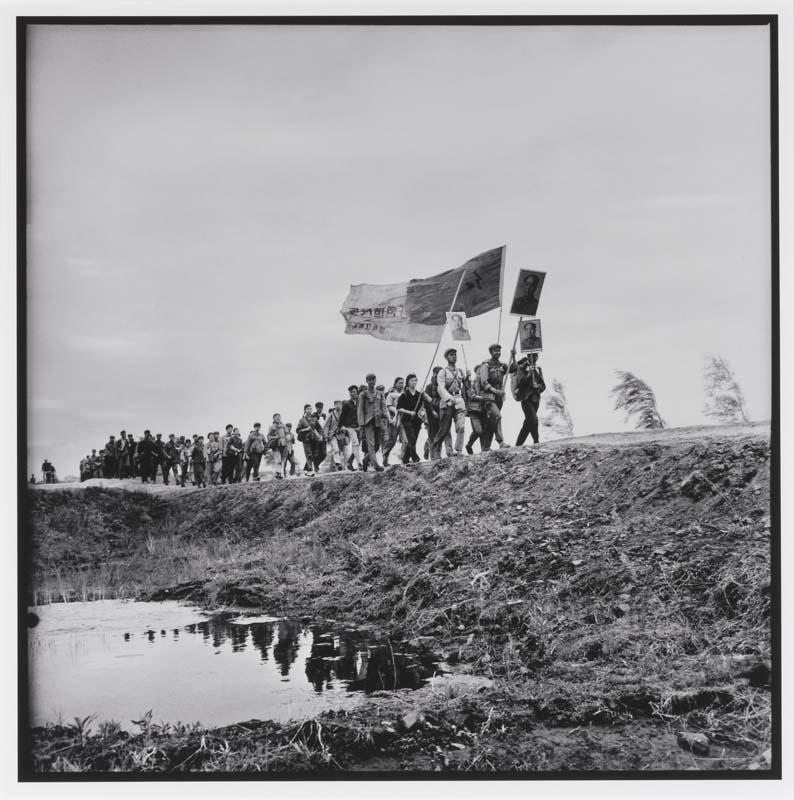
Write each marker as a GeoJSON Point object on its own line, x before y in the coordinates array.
{"type": "Point", "coordinates": [117, 659]}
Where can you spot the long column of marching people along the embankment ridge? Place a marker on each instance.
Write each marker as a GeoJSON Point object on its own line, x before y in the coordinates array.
{"type": "Point", "coordinates": [355, 434]}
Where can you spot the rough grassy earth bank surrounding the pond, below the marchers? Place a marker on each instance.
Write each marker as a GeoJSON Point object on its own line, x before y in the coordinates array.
{"type": "Point", "coordinates": [617, 592]}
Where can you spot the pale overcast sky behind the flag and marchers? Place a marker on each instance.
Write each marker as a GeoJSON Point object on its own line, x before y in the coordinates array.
{"type": "Point", "coordinates": [201, 199]}
